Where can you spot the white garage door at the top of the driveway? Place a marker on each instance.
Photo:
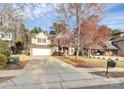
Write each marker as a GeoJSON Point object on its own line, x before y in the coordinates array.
{"type": "Point", "coordinates": [40, 52]}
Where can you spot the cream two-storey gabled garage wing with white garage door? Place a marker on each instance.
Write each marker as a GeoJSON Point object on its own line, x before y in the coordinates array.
{"type": "Point", "coordinates": [41, 44]}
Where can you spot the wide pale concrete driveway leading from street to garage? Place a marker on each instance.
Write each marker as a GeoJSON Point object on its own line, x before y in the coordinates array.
{"type": "Point", "coordinates": [49, 72]}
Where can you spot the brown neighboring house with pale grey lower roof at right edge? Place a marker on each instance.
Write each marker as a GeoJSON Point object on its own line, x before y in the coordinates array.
{"type": "Point", "coordinates": [115, 47]}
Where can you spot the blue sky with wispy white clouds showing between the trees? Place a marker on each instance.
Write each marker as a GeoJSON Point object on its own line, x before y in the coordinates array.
{"type": "Point", "coordinates": [41, 15]}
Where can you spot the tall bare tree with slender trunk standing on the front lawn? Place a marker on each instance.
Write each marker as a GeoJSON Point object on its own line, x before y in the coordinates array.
{"type": "Point", "coordinates": [76, 13]}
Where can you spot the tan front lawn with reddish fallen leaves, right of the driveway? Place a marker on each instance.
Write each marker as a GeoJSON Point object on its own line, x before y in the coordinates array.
{"type": "Point", "coordinates": [88, 62]}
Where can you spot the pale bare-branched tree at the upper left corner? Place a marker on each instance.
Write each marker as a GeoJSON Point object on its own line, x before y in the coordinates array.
{"type": "Point", "coordinates": [11, 18]}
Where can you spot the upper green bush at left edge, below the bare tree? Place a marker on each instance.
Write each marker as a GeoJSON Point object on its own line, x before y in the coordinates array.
{"type": "Point", "coordinates": [4, 48]}
